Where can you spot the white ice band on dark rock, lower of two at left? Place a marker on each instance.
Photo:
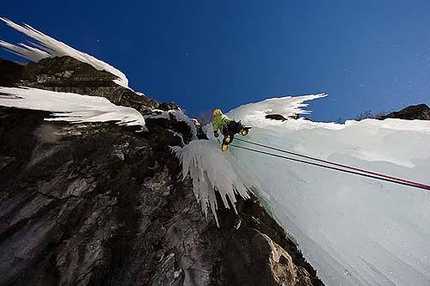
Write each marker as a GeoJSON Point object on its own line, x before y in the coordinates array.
{"type": "Point", "coordinates": [71, 107]}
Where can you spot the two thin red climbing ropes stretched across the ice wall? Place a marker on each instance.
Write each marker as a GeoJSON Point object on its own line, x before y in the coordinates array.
{"type": "Point", "coordinates": [334, 166]}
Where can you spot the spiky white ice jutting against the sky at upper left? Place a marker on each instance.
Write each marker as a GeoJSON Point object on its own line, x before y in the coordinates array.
{"type": "Point", "coordinates": [50, 47]}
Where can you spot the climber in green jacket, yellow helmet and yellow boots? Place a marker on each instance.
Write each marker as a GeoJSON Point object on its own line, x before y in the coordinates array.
{"type": "Point", "coordinates": [228, 127]}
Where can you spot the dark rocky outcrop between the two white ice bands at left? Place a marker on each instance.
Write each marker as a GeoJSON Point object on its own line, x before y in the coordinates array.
{"type": "Point", "coordinates": [66, 74]}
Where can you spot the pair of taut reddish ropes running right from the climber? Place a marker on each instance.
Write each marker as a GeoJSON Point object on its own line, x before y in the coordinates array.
{"type": "Point", "coordinates": [391, 178]}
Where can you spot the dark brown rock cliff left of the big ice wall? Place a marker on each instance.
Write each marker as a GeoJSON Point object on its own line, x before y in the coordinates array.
{"type": "Point", "coordinates": [99, 204]}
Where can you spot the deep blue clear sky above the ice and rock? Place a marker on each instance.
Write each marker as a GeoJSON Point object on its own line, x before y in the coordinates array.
{"type": "Point", "coordinates": [367, 55]}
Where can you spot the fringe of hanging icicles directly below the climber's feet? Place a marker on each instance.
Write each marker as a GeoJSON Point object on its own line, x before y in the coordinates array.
{"type": "Point", "coordinates": [211, 171]}
